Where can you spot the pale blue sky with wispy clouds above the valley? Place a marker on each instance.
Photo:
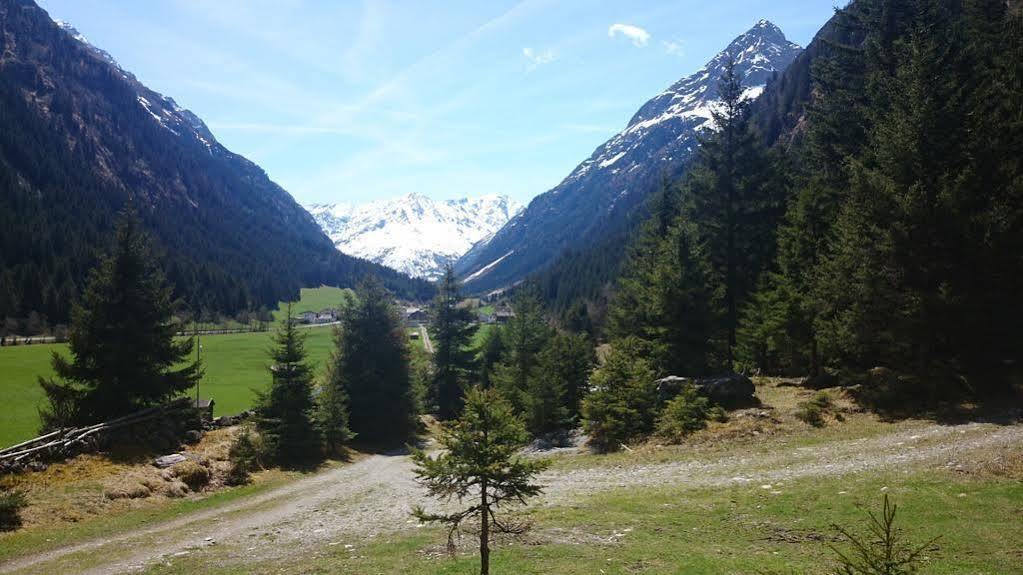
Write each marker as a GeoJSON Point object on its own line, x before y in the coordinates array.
{"type": "Point", "coordinates": [358, 101]}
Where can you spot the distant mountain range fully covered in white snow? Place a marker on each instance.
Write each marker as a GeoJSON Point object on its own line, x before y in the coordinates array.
{"type": "Point", "coordinates": [414, 235]}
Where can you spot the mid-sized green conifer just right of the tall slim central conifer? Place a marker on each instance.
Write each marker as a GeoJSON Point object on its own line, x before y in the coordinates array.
{"type": "Point", "coordinates": [524, 336]}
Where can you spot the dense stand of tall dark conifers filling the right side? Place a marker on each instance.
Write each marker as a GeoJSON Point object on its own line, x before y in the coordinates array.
{"type": "Point", "coordinates": [885, 232]}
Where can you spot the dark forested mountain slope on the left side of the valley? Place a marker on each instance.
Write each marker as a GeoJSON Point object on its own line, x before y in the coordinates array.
{"type": "Point", "coordinates": [80, 139]}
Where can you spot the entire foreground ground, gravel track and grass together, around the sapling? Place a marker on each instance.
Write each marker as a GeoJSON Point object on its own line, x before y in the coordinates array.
{"type": "Point", "coordinates": [764, 500]}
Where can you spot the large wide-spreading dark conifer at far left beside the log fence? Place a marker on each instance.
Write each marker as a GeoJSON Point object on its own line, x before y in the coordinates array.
{"type": "Point", "coordinates": [124, 353]}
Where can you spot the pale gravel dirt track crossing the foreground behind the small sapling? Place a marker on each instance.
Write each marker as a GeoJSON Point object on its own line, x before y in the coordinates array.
{"type": "Point", "coordinates": [376, 495]}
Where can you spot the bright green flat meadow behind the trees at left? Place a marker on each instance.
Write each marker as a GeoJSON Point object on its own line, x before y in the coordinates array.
{"type": "Point", "coordinates": [236, 367]}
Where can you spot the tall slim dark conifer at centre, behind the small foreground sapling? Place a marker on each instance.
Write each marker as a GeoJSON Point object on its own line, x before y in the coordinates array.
{"type": "Point", "coordinates": [452, 333]}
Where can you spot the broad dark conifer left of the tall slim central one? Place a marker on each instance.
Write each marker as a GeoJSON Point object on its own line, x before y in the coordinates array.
{"type": "Point", "coordinates": [372, 369]}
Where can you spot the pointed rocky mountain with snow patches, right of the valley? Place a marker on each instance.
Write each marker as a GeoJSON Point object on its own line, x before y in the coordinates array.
{"type": "Point", "coordinates": [602, 195]}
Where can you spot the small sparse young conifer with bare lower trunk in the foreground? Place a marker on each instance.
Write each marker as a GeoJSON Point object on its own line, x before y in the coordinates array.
{"type": "Point", "coordinates": [480, 463]}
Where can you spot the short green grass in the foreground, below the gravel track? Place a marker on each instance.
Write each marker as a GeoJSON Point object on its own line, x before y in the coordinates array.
{"type": "Point", "coordinates": [675, 530]}
